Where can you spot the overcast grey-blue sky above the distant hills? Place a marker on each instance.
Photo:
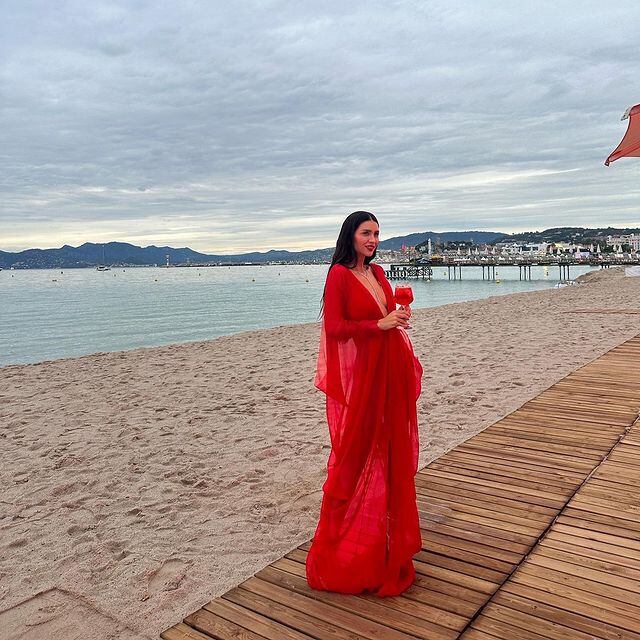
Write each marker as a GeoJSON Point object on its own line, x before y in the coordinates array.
{"type": "Point", "coordinates": [255, 125]}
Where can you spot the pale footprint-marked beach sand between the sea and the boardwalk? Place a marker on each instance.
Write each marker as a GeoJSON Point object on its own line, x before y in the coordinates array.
{"type": "Point", "coordinates": [138, 485]}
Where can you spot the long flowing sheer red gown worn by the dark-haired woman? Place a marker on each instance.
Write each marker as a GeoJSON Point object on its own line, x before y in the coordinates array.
{"type": "Point", "coordinates": [368, 530]}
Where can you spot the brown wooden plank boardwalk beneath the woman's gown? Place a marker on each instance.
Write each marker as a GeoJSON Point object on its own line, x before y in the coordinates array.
{"type": "Point", "coordinates": [530, 530]}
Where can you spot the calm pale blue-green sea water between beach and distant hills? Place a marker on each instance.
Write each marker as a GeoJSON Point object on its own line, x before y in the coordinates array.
{"type": "Point", "coordinates": [48, 314]}
